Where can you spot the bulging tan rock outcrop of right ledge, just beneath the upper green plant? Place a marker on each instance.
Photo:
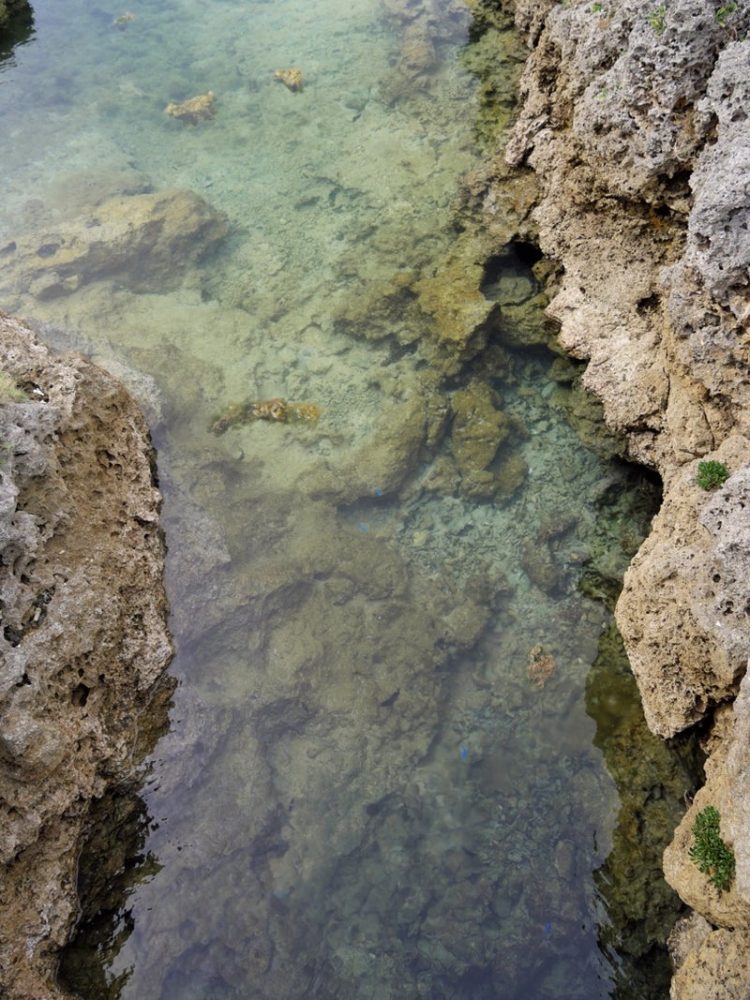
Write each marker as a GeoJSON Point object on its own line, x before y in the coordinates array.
{"type": "Point", "coordinates": [681, 611]}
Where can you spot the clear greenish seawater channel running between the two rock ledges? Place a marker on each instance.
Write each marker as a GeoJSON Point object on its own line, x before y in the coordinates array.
{"type": "Point", "coordinates": [405, 756]}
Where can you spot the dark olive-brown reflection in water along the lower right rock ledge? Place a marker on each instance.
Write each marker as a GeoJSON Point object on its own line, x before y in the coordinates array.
{"type": "Point", "coordinates": [653, 777]}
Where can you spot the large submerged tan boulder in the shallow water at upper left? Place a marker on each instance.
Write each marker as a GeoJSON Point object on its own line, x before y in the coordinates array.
{"type": "Point", "coordinates": [145, 241]}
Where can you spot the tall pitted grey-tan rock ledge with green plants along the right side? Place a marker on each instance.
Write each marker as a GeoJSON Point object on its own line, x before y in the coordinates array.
{"type": "Point", "coordinates": [634, 121]}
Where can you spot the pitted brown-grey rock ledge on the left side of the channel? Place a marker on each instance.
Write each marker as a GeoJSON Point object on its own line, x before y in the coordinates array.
{"type": "Point", "coordinates": [83, 643]}
